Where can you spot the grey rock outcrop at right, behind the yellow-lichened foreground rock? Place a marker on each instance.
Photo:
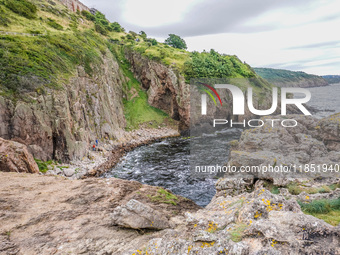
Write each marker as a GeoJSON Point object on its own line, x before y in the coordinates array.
{"type": "Point", "coordinates": [307, 143]}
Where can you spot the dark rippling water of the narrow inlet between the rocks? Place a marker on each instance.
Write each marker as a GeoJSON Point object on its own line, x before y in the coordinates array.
{"type": "Point", "coordinates": [166, 164]}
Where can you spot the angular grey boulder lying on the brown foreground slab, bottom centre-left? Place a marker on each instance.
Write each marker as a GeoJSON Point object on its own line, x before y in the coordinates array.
{"type": "Point", "coordinates": [137, 215]}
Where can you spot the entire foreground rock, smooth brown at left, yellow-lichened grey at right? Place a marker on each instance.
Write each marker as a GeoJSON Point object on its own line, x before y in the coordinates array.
{"type": "Point", "coordinates": [54, 215]}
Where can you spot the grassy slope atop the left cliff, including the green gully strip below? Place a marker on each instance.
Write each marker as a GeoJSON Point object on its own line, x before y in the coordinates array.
{"type": "Point", "coordinates": [36, 64]}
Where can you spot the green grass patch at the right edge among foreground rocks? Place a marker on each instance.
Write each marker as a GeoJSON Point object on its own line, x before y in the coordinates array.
{"type": "Point", "coordinates": [327, 210]}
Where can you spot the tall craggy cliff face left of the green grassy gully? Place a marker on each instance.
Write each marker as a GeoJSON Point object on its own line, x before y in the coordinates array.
{"type": "Point", "coordinates": [60, 124]}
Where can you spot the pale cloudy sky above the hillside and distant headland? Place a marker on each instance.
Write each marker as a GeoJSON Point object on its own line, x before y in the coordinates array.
{"type": "Point", "coordinates": [297, 35]}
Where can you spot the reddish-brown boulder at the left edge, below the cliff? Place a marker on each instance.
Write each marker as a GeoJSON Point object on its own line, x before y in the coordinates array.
{"type": "Point", "coordinates": [14, 157]}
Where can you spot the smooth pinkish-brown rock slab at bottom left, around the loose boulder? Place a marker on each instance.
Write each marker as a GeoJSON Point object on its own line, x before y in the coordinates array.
{"type": "Point", "coordinates": [55, 215]}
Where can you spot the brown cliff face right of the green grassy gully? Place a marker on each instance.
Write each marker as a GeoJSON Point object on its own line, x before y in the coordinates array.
{"type": "Point", "coordinates": [166, 88]}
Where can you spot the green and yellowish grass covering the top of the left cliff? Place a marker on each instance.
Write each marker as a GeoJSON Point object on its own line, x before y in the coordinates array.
{"type": "Point", "coordinates": [34, 63]}
